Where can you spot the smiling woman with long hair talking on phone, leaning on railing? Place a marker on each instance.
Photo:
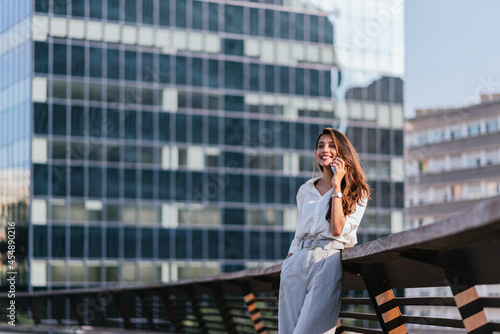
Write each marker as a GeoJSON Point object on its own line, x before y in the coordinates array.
{"type": "Point", "coordinates": [330, 208]}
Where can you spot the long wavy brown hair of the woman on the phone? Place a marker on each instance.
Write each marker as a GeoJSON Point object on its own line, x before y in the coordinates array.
{"type": "Point", "coordinates": [354, 186]}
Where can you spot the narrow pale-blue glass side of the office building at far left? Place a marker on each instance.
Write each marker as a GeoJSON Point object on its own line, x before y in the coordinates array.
{"type": "Point", "coordinates": [15, 137]}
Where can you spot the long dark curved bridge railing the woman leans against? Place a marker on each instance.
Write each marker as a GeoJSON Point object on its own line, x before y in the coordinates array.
{"type": "Point", "coordinates": [458, 253]}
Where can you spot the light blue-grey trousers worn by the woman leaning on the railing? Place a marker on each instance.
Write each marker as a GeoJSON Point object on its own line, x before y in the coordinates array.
{"type": "Point", "coordinates": [310, 291]}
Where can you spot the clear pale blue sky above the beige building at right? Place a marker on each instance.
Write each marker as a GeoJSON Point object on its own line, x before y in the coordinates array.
{"type": "Point", "coordinates": [452, 52]}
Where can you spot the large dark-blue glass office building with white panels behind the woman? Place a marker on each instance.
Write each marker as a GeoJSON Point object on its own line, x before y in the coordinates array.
{"type": "Point", "coordinates": [155, 140]}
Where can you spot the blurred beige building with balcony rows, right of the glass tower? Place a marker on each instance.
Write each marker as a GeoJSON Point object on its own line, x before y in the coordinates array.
{"type": "Point", "coordinates": [452, 162]}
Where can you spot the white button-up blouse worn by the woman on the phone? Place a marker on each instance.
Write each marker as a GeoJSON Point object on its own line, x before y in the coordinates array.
{"type": "Point", "coordinates": [311, 217]}
